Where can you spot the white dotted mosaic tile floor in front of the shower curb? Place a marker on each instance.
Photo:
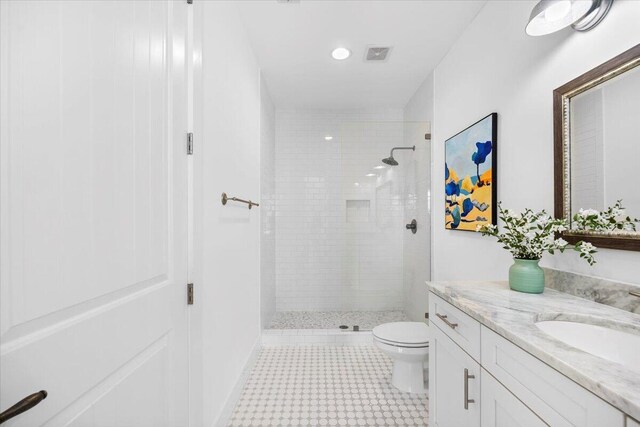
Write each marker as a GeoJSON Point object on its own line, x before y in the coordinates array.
{"type": "Point", "coordinates": [325, 386]}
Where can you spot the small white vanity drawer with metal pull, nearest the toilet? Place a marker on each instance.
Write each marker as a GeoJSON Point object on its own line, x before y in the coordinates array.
{"type": "Point", "coordinates": [460, 327]}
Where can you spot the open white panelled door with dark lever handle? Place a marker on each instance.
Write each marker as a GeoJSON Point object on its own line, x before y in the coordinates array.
{"type": "Point", "coordinates": [93, 212]}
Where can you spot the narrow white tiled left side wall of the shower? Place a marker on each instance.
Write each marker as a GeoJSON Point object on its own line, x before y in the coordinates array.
{"type": "Point", "coordinates": [267, 206]}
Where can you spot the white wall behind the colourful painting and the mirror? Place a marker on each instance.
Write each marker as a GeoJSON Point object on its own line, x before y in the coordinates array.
{"type": "Point", "coordinates": [495, 66]}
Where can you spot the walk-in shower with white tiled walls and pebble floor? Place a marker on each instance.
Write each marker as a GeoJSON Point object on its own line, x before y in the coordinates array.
{"type": "Point", "coordinates": [343, 255]}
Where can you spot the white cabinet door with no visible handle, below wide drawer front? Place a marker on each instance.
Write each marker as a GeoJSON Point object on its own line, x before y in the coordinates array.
{"type": "Point", "coordinates": [500, 408]}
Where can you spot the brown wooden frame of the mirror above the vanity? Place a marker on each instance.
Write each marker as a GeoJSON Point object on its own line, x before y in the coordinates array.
{"type": "Point", "coordinates": [562, 178]}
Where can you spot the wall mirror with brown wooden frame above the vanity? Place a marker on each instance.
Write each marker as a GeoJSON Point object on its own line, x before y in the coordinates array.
{"type": "Point", "coordinates": [597, 147]}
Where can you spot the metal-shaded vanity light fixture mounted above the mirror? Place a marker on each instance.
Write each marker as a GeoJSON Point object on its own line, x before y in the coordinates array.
{"type": "Point", "coordinates": [549, 16]}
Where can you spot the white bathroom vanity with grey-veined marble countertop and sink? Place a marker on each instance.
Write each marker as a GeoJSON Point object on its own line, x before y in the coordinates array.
{"type": "Point", "coordinates": [503, 358]}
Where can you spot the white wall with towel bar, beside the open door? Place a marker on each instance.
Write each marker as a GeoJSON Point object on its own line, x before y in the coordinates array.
{"type": "Point", "coordinates": [226, 314]}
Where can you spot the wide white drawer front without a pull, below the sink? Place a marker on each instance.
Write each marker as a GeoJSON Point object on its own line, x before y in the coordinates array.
{"type": "Point", "coordinates": [556, 399]}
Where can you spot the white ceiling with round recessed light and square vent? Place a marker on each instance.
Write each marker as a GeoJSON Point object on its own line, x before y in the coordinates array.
{"type": "Point", "coordinates": [293, 44]}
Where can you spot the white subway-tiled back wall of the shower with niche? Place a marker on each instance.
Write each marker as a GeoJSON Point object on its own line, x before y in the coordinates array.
{"type": "Point", "coordinates": [323, 260]}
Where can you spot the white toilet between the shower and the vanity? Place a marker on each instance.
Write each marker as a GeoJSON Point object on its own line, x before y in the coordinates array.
{"type": "Point", "coordinates": [407, 344]}
